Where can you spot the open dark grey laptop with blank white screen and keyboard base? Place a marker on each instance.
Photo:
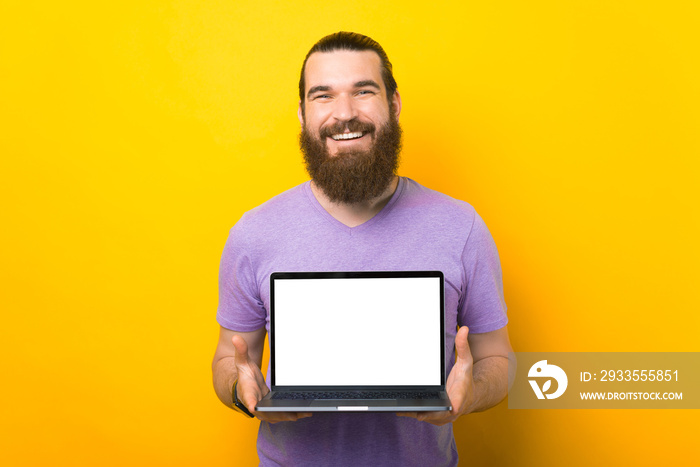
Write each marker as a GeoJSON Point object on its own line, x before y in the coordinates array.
{"type": "Point", "coordinates": [357, 341]}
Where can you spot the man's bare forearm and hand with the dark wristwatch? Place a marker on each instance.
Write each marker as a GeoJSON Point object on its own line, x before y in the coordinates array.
{"type": "Point", "coordinates": [239, 357]}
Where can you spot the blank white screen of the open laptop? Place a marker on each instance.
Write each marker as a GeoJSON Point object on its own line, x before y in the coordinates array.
{"type": "Point", "coordinates": [357, 331]}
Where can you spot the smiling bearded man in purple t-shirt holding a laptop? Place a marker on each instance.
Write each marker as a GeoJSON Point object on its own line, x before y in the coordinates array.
{"type": "Point", "coordinates": [356, 214]}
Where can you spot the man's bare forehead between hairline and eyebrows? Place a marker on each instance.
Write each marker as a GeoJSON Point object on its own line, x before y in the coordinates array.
{"type": "Point", "coordinates": [342, 67]}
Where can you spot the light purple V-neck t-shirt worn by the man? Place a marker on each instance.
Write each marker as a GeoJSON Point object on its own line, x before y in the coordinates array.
{"type": "Point", "coordinates": [418, 229]}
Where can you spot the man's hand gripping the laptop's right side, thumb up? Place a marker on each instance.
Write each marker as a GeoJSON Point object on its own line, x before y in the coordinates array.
{"type": "Point", "coordinates": [460, 386]}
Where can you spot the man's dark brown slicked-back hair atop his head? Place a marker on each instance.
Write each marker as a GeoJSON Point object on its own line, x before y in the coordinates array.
{"type": "Point", "coordinates": [355, 42]}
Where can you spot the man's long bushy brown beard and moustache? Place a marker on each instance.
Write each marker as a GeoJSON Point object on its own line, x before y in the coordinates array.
{"type": "Point", "coordinates": [352, 177]}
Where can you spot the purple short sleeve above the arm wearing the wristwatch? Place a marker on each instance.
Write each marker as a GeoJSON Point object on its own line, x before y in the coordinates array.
{"type": "Point", "coordinates": [240, 307]}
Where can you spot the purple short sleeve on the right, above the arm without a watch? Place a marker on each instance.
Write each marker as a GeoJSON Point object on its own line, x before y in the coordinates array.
{"type": "Point", "coordinates": [482, 308]}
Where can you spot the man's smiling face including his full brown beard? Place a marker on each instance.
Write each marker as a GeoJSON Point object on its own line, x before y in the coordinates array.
{"type": "Point", "coordinates": [350, 134]}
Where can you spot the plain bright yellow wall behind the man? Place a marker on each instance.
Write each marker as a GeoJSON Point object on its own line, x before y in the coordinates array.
{"type": "Point", "coordinates": [134, 134]}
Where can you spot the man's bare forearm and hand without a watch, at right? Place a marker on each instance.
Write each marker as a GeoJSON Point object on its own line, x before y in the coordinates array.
{"type": "Point", "coordinates": [479, 378]}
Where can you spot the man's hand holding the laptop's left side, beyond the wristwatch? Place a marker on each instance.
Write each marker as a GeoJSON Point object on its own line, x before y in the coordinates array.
{"type": "Point", "coordinates": [251, 386]}
